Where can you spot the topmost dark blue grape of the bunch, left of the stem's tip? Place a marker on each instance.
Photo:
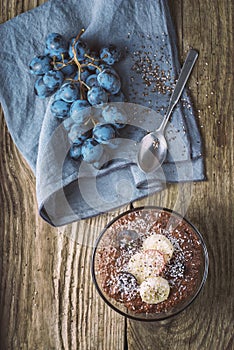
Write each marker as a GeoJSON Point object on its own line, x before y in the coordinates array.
{"type": "Point", "coordinates": [56, 45]}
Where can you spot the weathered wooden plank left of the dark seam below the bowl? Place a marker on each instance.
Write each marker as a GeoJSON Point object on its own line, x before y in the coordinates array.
{"type": "Point", "coordinates": [47, 299]}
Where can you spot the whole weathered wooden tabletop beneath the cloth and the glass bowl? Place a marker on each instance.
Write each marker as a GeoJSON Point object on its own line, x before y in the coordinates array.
{"type": "Point", "coordinates": [47, 299]}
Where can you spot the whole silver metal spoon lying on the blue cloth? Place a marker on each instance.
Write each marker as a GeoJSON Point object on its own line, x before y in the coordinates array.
{"type": "Point", "coordinates": [153, 147]}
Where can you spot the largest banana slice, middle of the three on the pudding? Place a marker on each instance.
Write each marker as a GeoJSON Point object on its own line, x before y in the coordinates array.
{"type": "Point", "coordinates": [146, 264]}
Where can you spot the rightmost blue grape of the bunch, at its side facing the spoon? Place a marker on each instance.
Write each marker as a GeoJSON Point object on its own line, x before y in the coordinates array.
{"type": "Point", "coordinates": [113, 114]}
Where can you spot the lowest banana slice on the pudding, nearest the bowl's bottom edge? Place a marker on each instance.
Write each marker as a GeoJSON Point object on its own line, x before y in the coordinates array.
{"type": "Point", "coordinates": [154, 290]}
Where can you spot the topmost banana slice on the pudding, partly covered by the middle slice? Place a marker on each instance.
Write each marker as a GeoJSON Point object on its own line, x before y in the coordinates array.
{"type": "Point", "coordinates": [160, 243]}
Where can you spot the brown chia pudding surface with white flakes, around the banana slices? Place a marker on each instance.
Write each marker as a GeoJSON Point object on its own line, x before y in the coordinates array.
{"type": "Point", "coordinates": [124, 240]}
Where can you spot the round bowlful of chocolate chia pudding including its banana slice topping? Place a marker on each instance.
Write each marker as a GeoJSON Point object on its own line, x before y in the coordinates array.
{"type": "Point", "coordinates": [149, 261]}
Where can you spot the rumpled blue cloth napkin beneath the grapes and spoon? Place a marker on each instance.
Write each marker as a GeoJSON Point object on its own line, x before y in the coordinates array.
{"type": "Point", "coordinates": [67, 190]}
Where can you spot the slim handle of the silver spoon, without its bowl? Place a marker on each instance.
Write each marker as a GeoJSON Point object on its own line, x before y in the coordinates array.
{"type": "Point", "coordinates": [182, 80]}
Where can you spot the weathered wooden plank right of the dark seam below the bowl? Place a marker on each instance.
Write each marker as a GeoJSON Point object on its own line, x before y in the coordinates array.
{"type": "Point", "coordinates": [208, 323]}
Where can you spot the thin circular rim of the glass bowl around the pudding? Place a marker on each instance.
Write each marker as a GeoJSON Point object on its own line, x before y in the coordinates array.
{"type": "Point", "coordinates": [164, 317]}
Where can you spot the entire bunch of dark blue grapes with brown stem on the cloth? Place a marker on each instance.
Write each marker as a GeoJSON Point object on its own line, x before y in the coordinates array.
{"type": "Point", "coordinates": [80, 79]}
